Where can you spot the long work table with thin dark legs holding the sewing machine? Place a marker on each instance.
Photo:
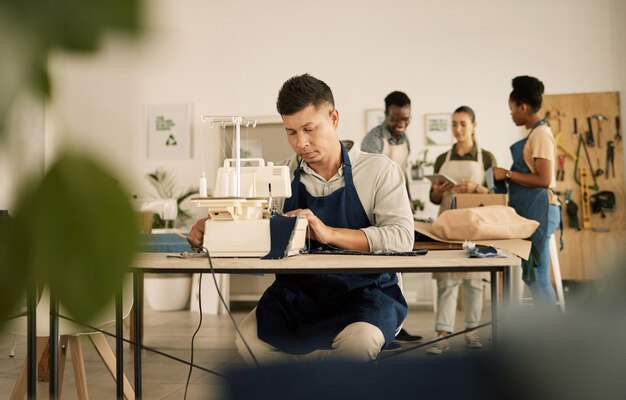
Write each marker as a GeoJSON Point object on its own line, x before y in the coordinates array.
{"type": "Point", "coordinates": [434, 261]}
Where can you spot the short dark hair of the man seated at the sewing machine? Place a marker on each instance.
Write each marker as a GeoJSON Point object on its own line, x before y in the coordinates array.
{"type": "Point", "coordinates": [301, 91]}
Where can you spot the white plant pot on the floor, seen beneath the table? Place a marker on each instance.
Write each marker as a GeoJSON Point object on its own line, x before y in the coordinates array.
{"type": "Point", "coordinates": [167, 292]}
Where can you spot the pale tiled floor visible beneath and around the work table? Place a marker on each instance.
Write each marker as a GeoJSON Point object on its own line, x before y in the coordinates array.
{"type": "Point", "coordinates": [171, 332]}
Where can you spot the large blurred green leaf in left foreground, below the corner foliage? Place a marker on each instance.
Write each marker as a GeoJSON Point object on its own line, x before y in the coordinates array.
{"type": "Point", "coordinates": [82, 233]}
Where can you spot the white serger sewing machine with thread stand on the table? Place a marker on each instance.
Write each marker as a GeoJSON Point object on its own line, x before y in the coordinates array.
{"type": "Point", "coordinates": [245, 190]}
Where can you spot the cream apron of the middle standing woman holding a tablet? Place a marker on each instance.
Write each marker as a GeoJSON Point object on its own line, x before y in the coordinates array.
{"type": "Point", "coordinates": [461, 169]}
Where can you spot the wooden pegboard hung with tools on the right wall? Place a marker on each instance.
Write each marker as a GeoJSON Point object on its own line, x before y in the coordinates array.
{"type": "Point", "coordinates": [586, 250]}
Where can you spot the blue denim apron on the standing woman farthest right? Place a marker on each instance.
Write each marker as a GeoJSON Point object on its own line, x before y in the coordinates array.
{"type": "Point", "coordinates": [531, 203]}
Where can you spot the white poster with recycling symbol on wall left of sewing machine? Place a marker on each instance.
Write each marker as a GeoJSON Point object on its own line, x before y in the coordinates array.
{"type": "Point", "coordinates": [169, 131]}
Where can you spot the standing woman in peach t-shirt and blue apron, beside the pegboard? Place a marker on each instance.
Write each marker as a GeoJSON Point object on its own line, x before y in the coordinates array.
{"type": "Point", "coordinates": [529, 182]}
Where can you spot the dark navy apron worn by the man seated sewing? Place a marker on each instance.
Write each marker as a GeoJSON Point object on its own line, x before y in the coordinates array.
{"type": "Point", "coordinates": [300, 313]}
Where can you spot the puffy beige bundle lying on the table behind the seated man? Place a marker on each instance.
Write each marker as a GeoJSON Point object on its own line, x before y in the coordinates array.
{"type": "Point", "coordinates": [483, 223]}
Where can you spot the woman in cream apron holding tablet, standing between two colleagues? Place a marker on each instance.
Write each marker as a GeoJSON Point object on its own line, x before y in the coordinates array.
{"type": "Point", "coordinates": [466, 163]}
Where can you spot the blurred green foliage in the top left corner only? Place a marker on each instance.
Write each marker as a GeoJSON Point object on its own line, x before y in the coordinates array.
{"type": "Point", "coordinates": [31, 29]}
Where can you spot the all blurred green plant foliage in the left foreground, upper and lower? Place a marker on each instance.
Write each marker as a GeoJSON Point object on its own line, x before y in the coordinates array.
{"type": "Point", "coordinates": [75, 228]}
